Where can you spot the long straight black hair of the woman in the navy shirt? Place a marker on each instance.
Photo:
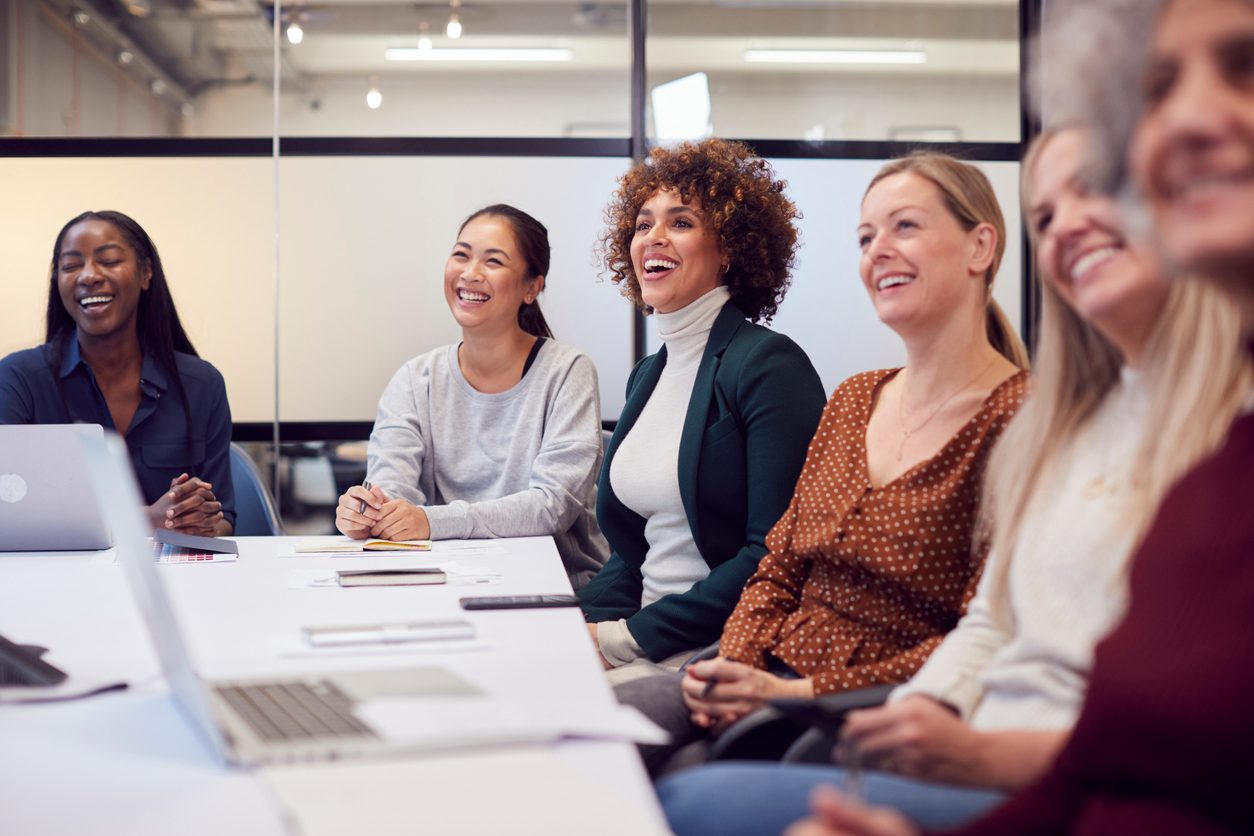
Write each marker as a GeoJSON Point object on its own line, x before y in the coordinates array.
{"type": "Point", "coordinates": [157, 327]}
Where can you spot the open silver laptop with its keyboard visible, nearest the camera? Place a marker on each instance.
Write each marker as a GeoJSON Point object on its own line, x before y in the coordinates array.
{"type": "Point", "coordinates": [308, 718]}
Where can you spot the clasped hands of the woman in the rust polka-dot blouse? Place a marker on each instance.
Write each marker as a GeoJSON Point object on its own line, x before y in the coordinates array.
{"type": "Point", "coordinates": [719, 692]}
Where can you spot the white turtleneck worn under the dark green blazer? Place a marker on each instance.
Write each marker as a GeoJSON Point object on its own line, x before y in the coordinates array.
{"type": "Point", "coordinates": [645, 471]}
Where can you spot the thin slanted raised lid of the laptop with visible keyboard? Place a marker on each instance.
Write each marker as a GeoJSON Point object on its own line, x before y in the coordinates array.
{"type": "Point", "coordinates": [113, 482]}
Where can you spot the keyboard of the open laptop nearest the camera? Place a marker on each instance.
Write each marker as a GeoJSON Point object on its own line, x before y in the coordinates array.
{"type": "Point", "coordinates": [295, 711]}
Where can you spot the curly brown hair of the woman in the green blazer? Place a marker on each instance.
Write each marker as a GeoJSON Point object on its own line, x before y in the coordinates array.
{"type": "Point", "coordinates": [746, 205]}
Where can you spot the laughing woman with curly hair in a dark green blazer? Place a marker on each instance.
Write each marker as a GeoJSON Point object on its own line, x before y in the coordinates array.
{"type": "Point", "coordinates": [717, 424]}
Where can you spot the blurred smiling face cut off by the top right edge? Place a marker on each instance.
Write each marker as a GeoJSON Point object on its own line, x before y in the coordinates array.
{"type": "Point", "coordinates": [1194, 149]}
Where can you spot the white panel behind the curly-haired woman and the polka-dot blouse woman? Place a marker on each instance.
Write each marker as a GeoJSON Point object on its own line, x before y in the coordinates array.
{"type": "Point", "coordinates": [827, 310]}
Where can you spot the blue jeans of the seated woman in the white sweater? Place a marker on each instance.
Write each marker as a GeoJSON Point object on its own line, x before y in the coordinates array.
{"type": "Point", "coordinates": [763, 799]}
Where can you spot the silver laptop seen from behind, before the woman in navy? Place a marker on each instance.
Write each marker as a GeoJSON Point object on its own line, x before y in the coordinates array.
{"type": "Point", "coordinates": [47, 503]}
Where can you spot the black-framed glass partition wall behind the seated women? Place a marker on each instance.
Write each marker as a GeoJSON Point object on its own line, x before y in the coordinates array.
{"type": "Point", "coordinates": [304, 167]}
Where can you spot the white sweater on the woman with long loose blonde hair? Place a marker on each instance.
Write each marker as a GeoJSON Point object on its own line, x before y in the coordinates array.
{"type": "Point", "coordinates": [1023, 655]}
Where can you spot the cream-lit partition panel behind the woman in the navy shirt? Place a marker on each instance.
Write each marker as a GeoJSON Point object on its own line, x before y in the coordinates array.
{"type": "Point", "coordinates": [214, 225]}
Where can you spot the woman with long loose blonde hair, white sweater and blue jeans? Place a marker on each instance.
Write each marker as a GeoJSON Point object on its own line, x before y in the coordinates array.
{"type": "Point", "coordinates": [1135, 382]}
